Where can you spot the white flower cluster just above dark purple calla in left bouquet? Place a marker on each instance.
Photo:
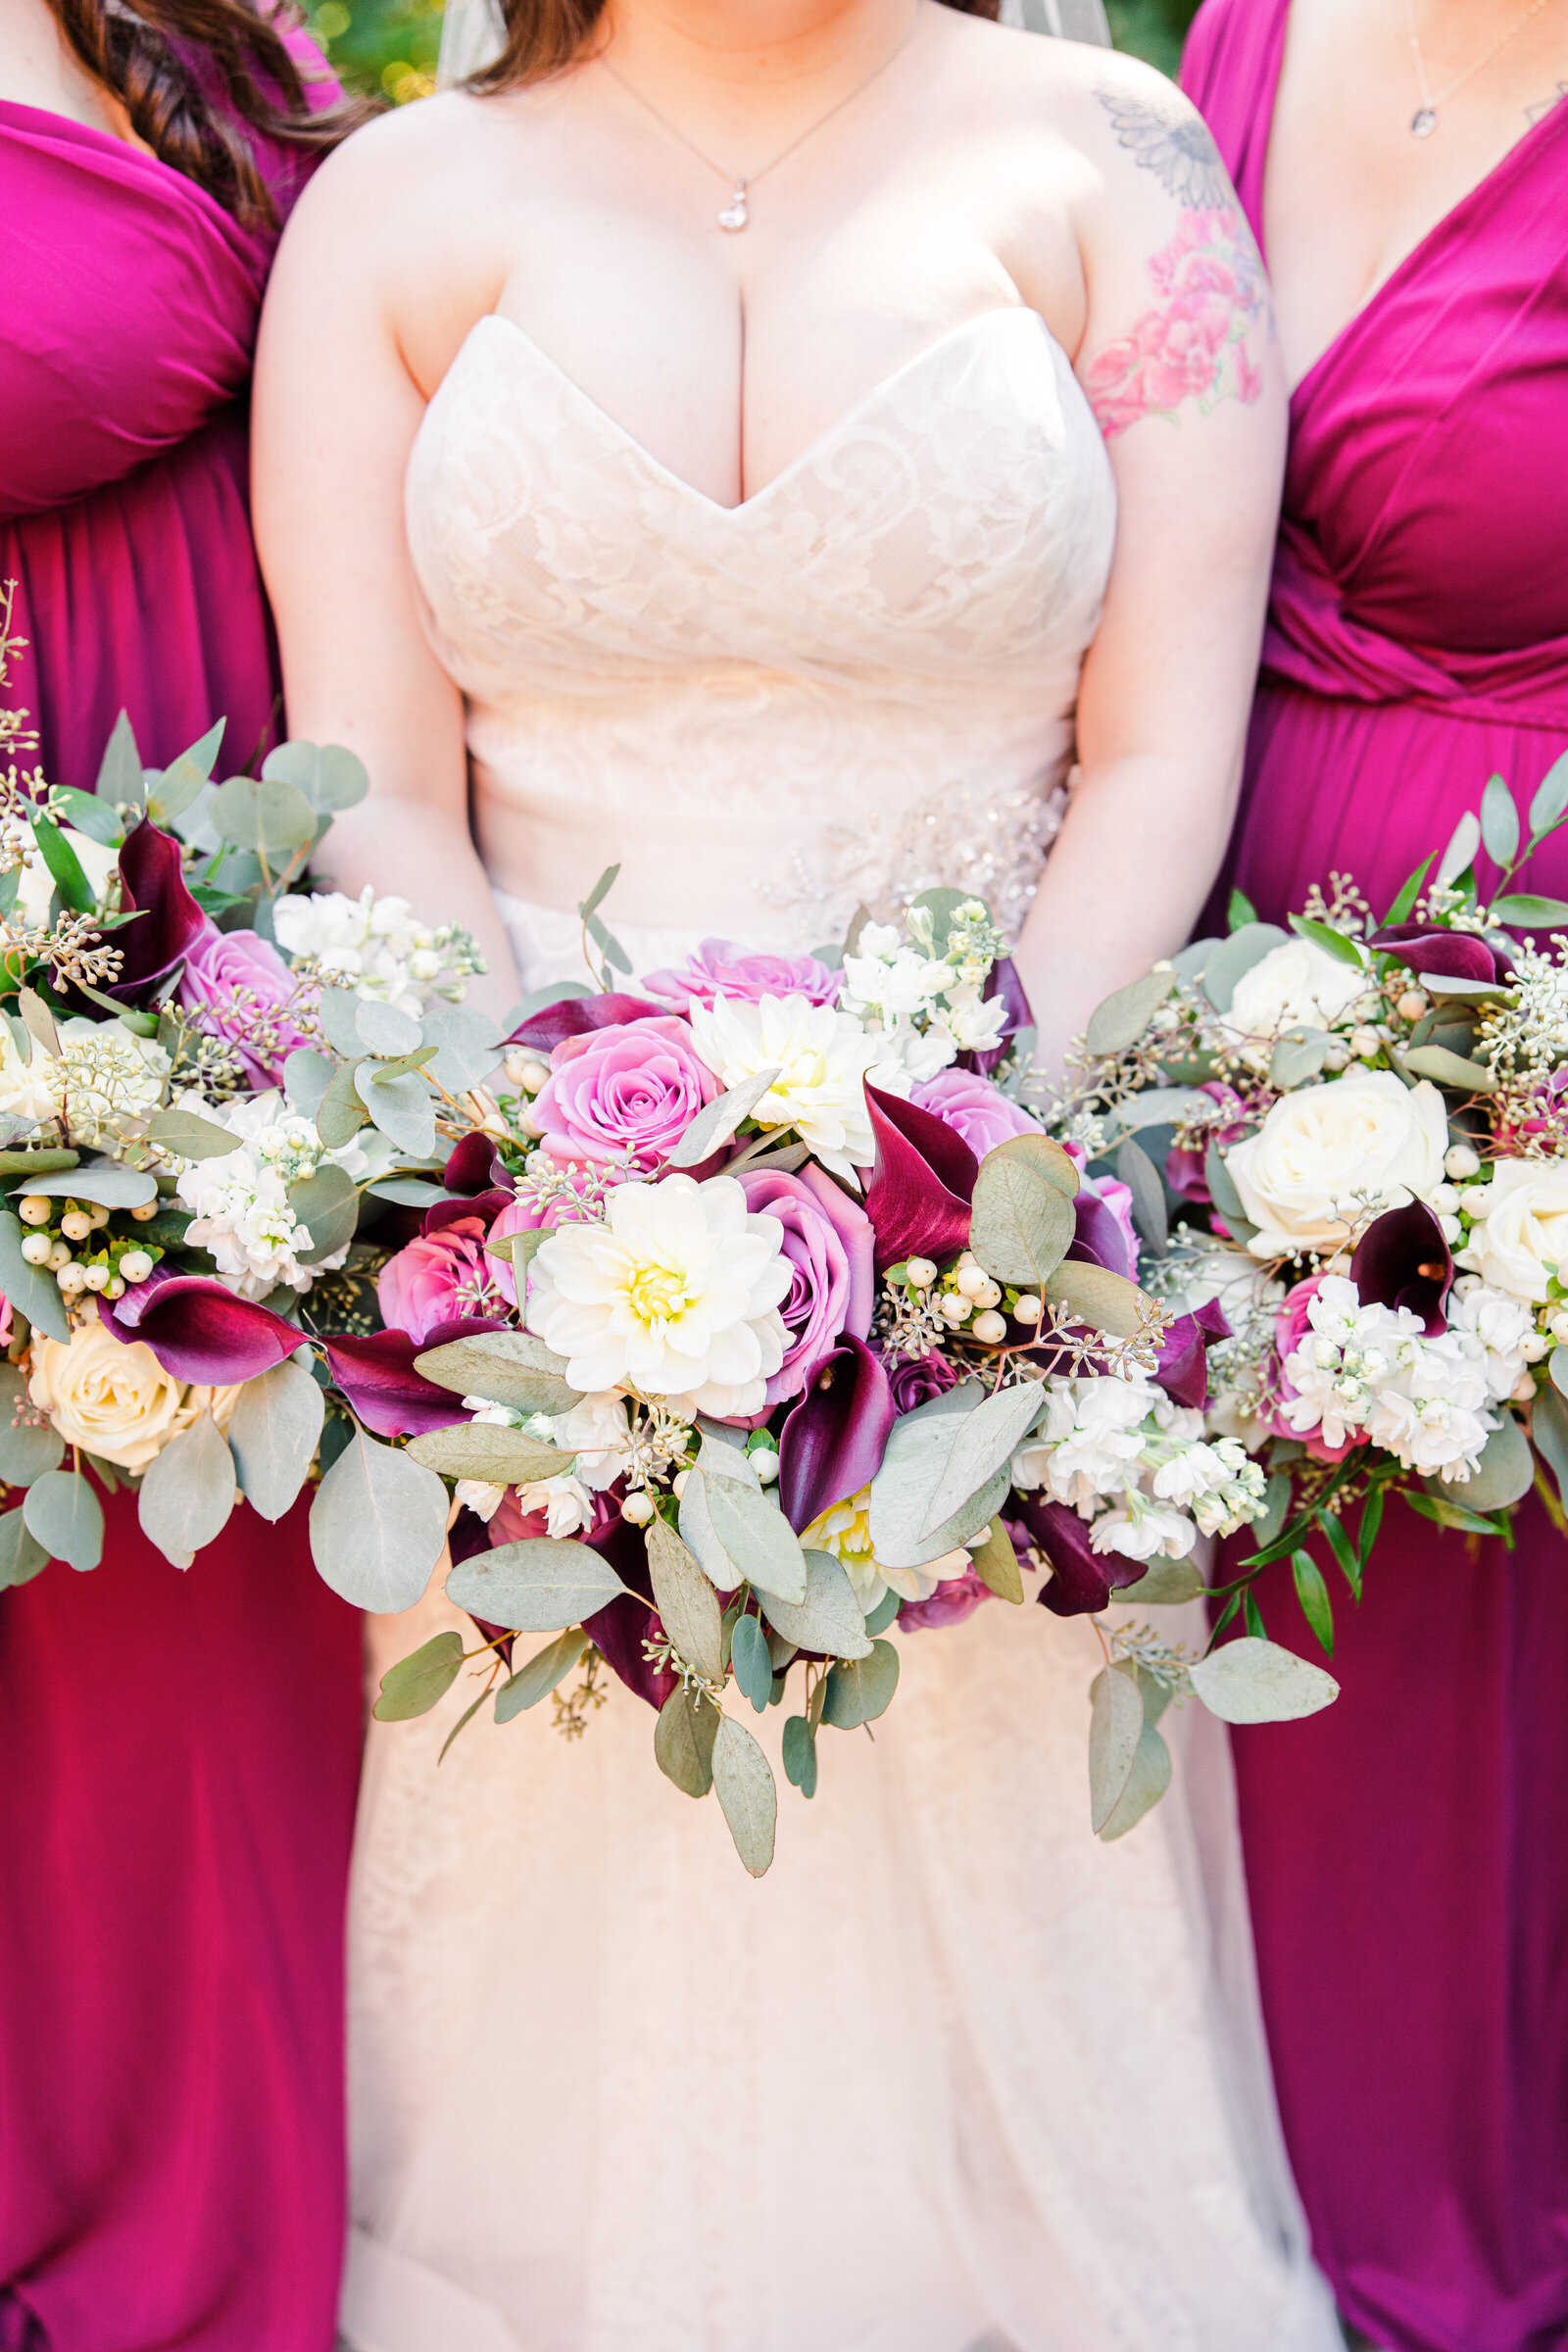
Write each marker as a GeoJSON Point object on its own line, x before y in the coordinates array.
{"type": "Point", "coordinates": [241, 1203]}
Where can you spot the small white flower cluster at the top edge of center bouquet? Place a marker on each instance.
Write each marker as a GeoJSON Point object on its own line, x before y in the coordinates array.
{"type": "Point", "coordinates": [923, 1008]}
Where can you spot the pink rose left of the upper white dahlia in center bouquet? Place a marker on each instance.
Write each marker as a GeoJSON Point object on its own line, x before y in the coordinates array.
{"type": "Point", "coordinates": [622, 1093]}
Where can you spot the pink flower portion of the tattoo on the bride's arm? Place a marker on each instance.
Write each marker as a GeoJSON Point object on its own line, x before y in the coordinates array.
{"type": "Point", "coordinates": [1193, 342]}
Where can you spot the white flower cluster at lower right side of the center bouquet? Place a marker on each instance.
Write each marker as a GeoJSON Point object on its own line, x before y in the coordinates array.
{"type": "Point", "coordinates": [1139, 1469]}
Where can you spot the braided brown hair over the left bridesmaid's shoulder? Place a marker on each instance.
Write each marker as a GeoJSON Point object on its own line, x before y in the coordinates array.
{"type": "Point", "coordinates": [142, 53]}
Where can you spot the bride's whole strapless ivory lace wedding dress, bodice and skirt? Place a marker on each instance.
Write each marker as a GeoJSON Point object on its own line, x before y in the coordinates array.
{"type": "Point", "coordinates": [953, 2078]}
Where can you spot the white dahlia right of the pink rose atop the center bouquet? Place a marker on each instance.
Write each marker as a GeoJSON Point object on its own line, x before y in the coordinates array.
{"type": "Point", "coordinates": [822, 1057]}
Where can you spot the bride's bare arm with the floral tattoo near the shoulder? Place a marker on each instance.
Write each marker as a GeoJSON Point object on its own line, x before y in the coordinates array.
{"type": "Point", "coordinates": [1181, 366]}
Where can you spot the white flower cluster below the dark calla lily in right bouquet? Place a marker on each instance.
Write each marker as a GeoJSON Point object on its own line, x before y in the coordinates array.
{"type": "Point", "coordinates": [1372, 1372]}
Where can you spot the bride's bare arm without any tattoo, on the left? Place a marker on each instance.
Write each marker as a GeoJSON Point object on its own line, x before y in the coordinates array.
{"type": "Point", "coordinates": [335, 420]}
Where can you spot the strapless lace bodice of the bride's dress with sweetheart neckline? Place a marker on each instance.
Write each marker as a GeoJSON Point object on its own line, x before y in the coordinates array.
{"type": "Point", "coordinates": [852, 686]}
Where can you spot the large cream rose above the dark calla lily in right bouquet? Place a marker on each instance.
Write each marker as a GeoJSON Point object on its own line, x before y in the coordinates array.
{"type": "Point", "coordinates": [1329, 1151]}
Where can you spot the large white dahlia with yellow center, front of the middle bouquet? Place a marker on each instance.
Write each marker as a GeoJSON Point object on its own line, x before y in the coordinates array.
{"type": "Point", "coordinates": [676, 1295]}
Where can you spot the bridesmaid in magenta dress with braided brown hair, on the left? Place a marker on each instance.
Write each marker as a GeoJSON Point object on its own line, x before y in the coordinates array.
{"type": "Point", "coordinates": [177, 1753]}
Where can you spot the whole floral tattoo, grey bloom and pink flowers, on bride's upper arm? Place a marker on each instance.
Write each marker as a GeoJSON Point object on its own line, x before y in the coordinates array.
{"type": "Point", "coordinates": [1193, 342]}
